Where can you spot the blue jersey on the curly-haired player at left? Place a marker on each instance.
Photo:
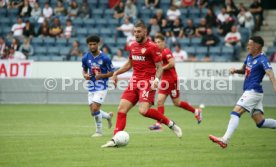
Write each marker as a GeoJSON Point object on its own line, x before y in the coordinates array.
{"type": "Point", "coordinates": [99, 64]}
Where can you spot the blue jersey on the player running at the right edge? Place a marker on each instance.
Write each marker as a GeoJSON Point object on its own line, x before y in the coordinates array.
{"type": "Point", "coordinates": [254, 72]}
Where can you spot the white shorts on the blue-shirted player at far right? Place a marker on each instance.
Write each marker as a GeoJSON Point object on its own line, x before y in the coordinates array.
{"type": "Point", "coordinates": [251, 101]}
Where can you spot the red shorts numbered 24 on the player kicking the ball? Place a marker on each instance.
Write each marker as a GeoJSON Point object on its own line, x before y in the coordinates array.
{"type": "Point", "coordinates": [135, 92]}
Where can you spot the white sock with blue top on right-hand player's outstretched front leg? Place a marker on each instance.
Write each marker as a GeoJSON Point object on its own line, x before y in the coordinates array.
{"type": "Point", "coordinates": [232, 125]}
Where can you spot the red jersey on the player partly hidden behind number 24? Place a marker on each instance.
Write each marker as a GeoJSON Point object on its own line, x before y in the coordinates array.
{"type": "Point", "coordinates": [170, 74]}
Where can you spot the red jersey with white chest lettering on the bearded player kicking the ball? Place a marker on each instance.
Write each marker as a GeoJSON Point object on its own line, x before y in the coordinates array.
{"type": "Point", "coordinates": [143, 57]}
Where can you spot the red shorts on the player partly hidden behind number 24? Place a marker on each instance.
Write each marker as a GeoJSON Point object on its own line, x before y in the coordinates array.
{"type": "Point", "coordinates": [169, 88]}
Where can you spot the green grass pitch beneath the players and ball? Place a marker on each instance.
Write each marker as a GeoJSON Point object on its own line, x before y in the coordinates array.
{"type": "Point", "coordinates": [59, 135]}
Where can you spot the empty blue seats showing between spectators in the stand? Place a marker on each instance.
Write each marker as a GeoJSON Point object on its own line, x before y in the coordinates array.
{"type": "Point", "coordinates": [102, 22]}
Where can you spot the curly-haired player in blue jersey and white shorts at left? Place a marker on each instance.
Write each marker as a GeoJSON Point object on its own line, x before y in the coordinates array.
{"type": "Point", "coordinates": [97, 68]}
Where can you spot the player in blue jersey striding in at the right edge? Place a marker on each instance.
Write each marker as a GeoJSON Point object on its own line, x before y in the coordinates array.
{"type": "Point", "coordinates": [254, 68]}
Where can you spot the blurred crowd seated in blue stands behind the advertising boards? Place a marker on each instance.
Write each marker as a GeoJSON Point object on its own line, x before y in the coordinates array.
{"type": "Point", "coordinates": [196, 30]}
